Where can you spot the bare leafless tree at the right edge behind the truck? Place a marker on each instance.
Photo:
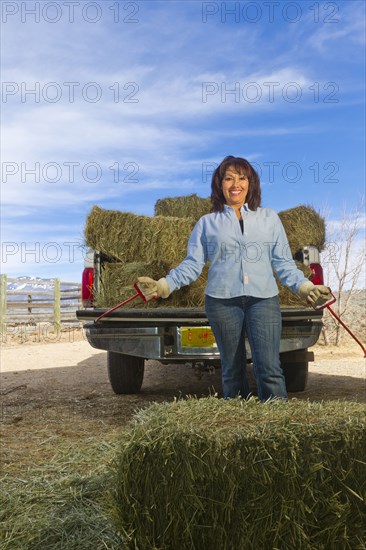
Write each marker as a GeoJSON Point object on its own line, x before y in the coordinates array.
{"type": "Point", "coordinates": [343, 262]}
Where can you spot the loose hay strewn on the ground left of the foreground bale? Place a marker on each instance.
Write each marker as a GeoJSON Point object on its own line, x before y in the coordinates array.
{"type": "Point", "coordinates": [54, 489]}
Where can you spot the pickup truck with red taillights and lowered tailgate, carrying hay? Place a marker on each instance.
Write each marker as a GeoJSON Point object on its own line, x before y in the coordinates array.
{"type": "Point", "coordinates": [183, 335]}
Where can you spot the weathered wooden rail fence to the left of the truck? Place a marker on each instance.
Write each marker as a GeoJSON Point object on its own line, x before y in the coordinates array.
{"type": "Point", "coordinates": [31, 307]}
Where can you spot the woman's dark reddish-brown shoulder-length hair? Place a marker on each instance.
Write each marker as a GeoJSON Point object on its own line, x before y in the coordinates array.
{"type": "Point", "coordinates": [243, 167]}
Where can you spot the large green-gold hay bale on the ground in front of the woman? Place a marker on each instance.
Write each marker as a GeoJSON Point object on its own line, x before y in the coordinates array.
{"type": "Point", "coordinates": [229, 475]}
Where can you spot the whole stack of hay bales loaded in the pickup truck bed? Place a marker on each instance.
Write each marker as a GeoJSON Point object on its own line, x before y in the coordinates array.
{"type": "Point", "coordinates": [151, 246]}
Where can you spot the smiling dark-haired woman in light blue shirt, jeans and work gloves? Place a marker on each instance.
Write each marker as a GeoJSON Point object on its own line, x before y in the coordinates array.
{"type": "Point", "coordinates": [244, 244]}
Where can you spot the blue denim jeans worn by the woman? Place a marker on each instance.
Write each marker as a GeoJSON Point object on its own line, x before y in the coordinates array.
{"type": "Point", "coordinates": [259, 319]}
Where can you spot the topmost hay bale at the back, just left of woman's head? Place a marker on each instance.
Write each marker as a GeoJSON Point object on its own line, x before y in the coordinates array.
{"type": "Point", "coordinates": [189, 206]}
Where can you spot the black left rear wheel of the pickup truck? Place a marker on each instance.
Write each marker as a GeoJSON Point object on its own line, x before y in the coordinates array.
{"type": "Point", "coordinates": [125, 372]}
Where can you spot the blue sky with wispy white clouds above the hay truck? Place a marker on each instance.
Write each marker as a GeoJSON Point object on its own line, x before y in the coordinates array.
{"type": "Point", "coordinates": [122, 103]}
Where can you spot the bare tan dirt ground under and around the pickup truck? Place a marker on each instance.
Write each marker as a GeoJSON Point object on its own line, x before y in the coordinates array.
{"type": "Point", "coordinates": [66, 379]}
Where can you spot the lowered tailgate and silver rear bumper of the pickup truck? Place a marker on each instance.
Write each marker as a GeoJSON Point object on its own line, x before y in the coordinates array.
{"type": "Point", "coordinates": [159, 337]}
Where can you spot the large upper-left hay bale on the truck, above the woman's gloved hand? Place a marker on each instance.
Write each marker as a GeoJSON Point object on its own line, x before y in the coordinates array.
{"type": "Point", "coordinates": [131, 238]}
